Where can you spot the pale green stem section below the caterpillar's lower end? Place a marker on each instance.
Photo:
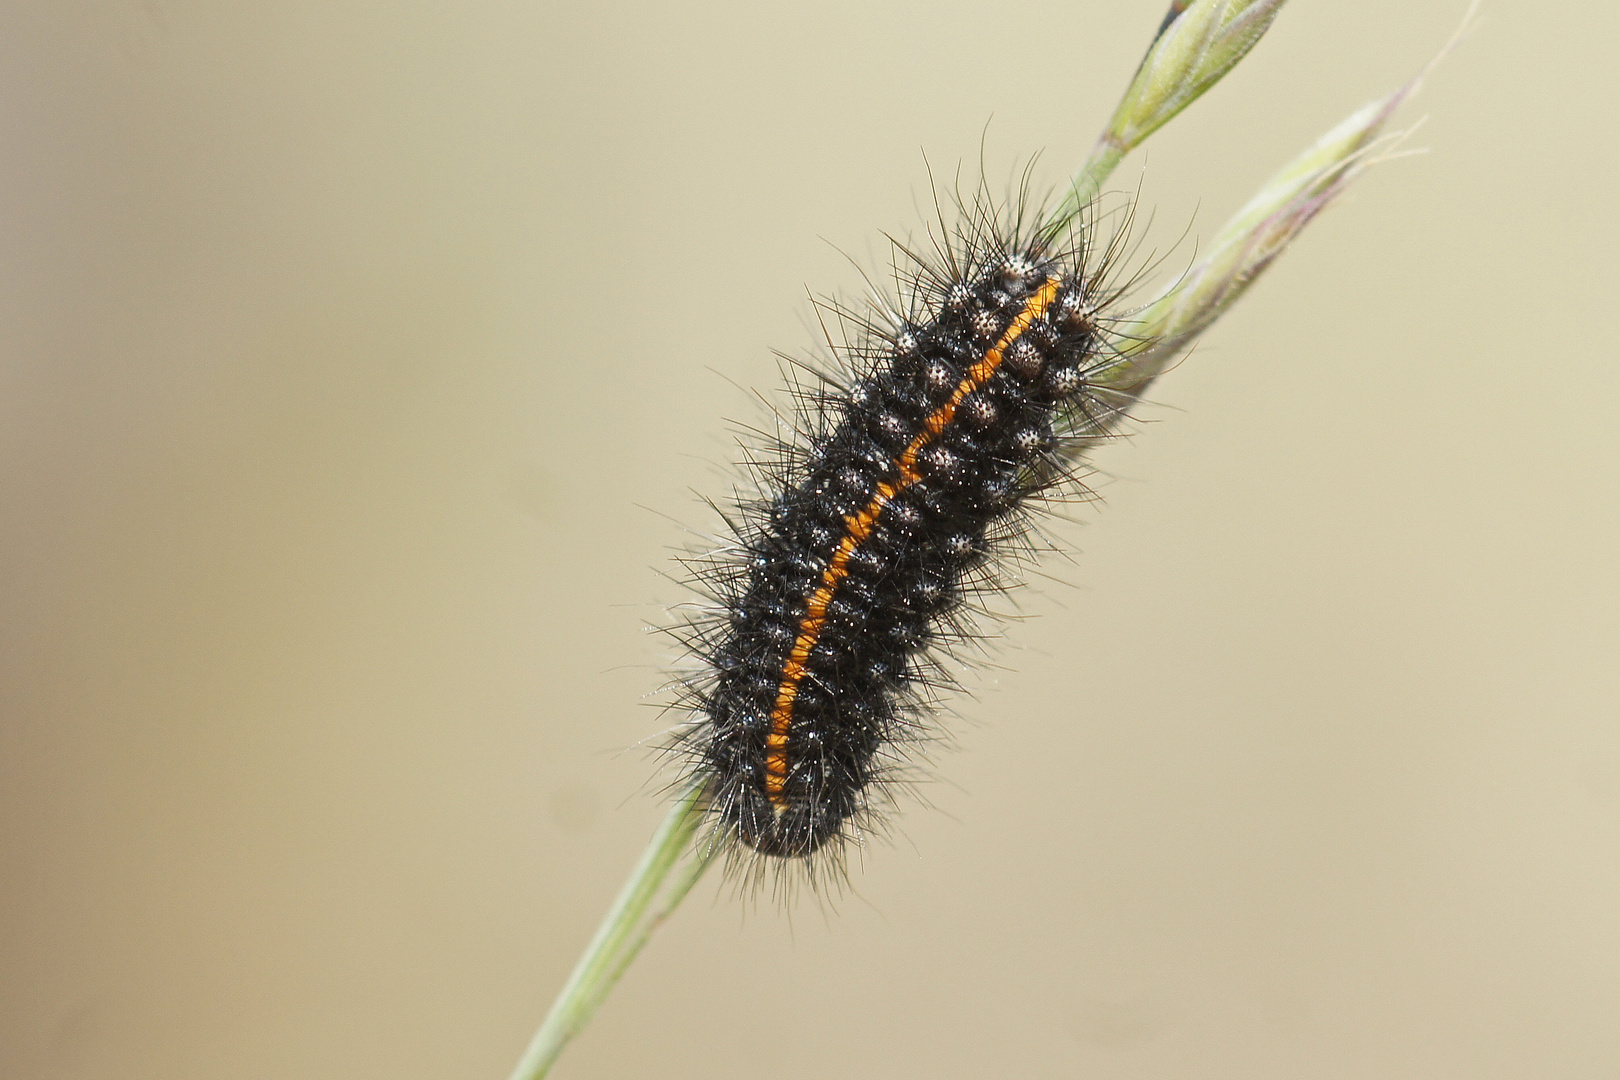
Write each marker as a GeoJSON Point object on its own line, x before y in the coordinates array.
{"type": "Point", "coordinates": [625, 930]}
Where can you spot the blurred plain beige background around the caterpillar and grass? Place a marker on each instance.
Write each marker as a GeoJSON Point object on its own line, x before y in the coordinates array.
{"type": "Point", "coordinates": [360, 364]}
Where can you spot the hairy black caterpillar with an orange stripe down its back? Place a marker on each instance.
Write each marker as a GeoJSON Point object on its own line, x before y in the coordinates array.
{"type": "Point", "coordinates": [879, 525]}
